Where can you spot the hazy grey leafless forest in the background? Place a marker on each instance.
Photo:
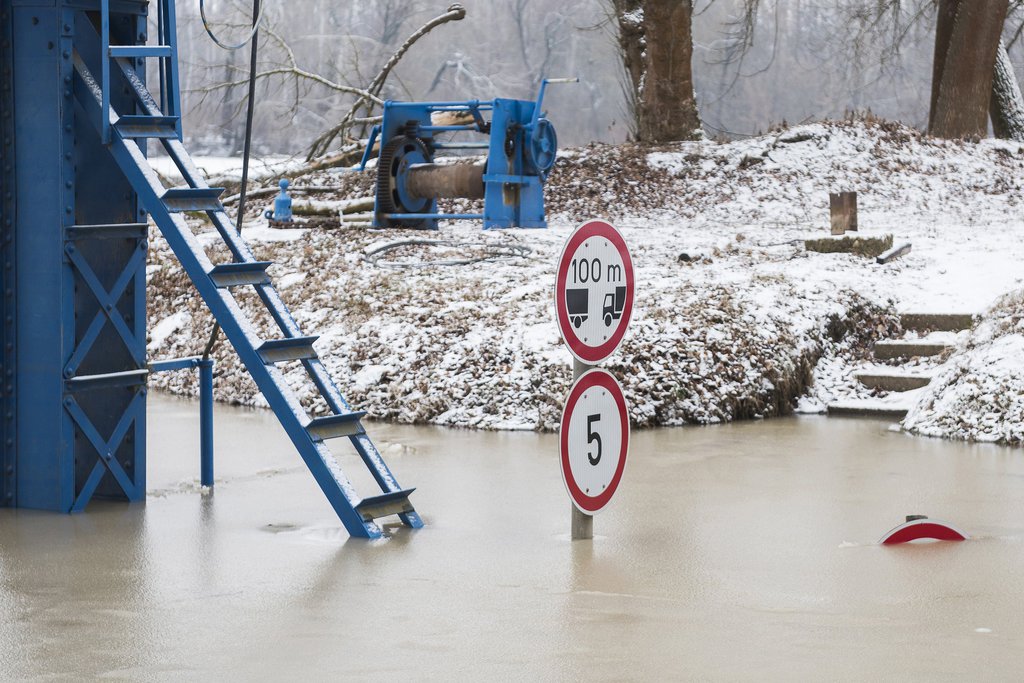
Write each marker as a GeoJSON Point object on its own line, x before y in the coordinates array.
{"type": "Point", "coordinates": [808, 60]}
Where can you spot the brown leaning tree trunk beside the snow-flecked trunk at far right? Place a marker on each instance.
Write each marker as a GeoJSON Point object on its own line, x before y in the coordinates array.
{"type": "Point", "coordinates": [962, 102]}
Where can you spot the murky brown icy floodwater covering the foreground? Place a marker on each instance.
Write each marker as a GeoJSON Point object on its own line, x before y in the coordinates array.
{"type": "Point", "coordinates": [743, 551]}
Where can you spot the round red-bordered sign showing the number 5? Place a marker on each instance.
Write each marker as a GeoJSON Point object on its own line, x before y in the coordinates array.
{"type": "Point", "coordinates": [594, 441]}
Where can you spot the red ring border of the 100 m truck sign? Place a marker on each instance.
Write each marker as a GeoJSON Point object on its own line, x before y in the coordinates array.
{"type": "Point", "coordinates": [592, 355]}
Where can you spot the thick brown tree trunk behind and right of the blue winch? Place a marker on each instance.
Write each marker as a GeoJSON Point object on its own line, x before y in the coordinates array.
{"type": "Point", "coordinates": [657, 42]}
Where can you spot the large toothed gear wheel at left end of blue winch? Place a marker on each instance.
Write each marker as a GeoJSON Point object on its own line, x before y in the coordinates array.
{"type": "Point", "coordinates": [398, 156]}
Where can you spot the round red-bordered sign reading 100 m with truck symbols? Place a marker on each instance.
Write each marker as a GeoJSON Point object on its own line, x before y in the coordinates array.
{"type": "Point", "coordinates": [594, 291]}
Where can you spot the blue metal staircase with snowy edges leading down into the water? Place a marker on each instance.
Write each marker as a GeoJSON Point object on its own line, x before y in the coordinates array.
{"type": "Point", "coordinates": [124, 134]}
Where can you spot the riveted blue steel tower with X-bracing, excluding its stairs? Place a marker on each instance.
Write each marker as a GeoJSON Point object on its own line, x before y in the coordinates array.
{"type": "Point", "coordinates": [74, 240]}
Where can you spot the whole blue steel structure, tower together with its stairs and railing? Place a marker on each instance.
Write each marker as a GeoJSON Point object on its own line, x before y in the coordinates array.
{"type": "Point", "coordinates": [77, 191]}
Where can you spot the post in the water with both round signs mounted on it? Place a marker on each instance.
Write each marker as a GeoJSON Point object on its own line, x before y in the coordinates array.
{"type": "Point", "coordinates": [594, 287]}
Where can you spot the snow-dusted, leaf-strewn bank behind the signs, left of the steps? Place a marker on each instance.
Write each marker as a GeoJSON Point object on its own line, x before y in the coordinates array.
{"type": "Point", "coordinates": [732, 317]}
